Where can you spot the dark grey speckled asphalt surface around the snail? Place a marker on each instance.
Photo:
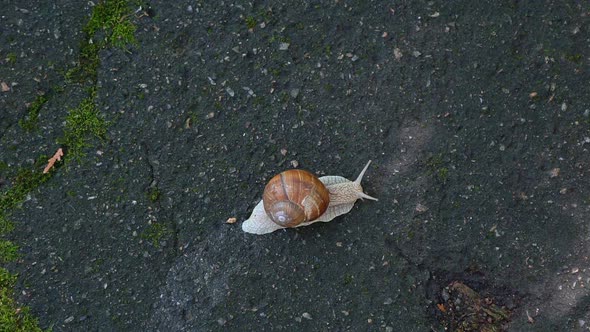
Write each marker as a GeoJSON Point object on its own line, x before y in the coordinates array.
{"type": "Point", "coordinates": [476, 115]}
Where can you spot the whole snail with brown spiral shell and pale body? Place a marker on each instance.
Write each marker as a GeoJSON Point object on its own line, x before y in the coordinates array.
{"type": "Point", "coordinates": [296, 198]}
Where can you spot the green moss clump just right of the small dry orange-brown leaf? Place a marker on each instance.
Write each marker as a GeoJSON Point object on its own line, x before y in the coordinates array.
{"type": "Point", "coordinates": [83, 124]}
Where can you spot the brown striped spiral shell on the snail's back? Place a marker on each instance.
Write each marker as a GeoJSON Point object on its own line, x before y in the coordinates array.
{"type": "Point", "coordinates": [295, 196]}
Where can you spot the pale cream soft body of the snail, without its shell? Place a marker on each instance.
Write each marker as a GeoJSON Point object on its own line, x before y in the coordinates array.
{"type": "Point", "coordinates": [343, 193]}
